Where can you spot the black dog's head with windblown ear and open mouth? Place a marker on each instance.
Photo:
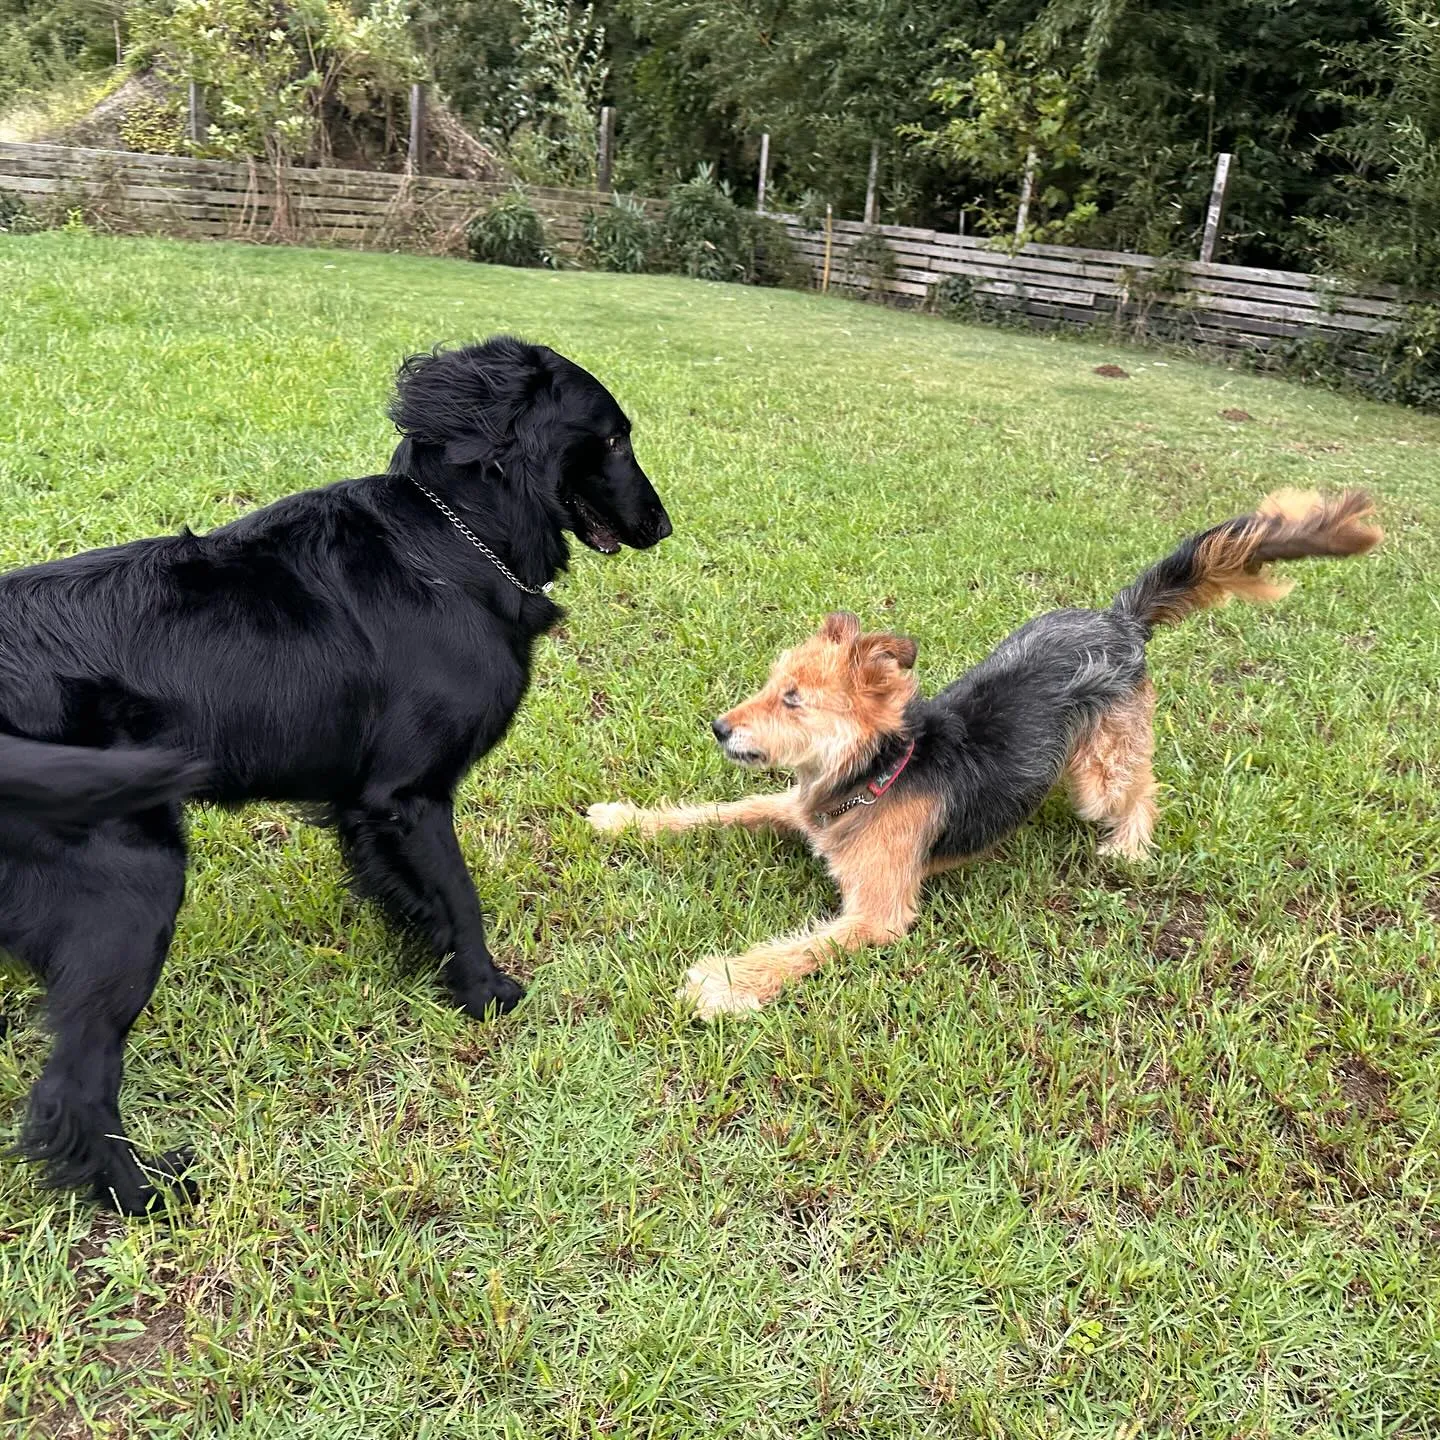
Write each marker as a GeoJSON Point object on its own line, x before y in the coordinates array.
{"type": "Point", "coordinates": [541, 421]}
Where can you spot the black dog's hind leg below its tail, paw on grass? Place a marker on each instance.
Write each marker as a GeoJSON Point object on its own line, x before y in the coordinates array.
{"type": "Point", "coordinates": [100, 971]}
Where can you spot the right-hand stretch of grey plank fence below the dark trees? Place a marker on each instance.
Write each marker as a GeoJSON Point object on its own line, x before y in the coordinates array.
{"type": "Point", "coordinates": [1233, 307]}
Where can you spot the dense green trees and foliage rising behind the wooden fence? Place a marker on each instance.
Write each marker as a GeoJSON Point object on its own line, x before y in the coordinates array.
{"type": "Point", "coordinates": [1330, 107]}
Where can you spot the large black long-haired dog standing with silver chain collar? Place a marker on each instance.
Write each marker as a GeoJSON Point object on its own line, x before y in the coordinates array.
{"type": "Point", "coordinates": [354, 649]}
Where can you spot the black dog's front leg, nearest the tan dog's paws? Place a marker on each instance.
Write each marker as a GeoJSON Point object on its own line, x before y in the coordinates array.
{"type": "Point", "coordinates": [408, 859]}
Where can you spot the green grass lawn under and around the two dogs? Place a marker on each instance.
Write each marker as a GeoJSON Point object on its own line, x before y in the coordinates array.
{"type": "Point", "coordinates": [1097, 1151]}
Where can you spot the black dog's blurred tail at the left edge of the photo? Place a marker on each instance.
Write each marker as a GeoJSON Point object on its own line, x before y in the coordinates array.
{"type": "Point", "coordinates": [70, 784]}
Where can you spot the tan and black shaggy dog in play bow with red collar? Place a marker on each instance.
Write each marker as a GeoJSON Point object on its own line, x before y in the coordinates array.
{"type": "Point", "coordinates": [892, 788]}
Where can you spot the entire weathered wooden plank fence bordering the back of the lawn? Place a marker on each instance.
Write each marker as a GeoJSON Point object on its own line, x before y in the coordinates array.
{"type": "Point", "coordinates": [1228, 307]}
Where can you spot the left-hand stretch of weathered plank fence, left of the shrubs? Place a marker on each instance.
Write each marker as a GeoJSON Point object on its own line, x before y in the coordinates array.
{"type": "Point", "coordinates": [238, 199]}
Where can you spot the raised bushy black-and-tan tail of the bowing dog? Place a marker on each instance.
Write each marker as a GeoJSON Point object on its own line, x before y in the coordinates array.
{"type": "Point", "coordinates": [1232, 558]}
